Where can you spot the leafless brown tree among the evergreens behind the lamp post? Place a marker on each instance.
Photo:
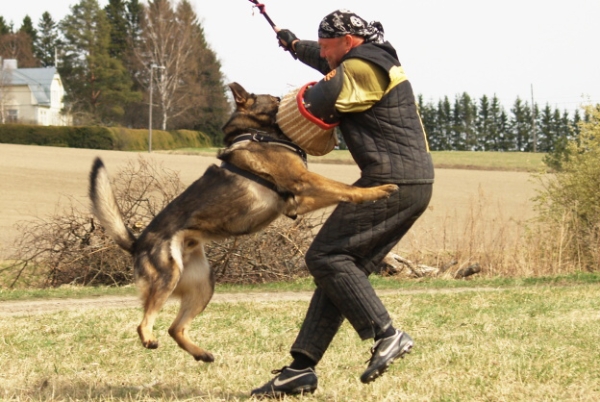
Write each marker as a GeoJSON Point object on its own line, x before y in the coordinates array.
{"type": "Point", "coordinates": [171, 39]}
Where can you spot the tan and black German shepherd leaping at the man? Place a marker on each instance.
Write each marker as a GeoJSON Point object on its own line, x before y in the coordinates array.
{"type": "Point", "coordinates": [261, 177]}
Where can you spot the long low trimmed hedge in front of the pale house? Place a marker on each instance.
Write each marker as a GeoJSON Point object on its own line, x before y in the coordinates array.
{"type": "Point", "coordinates": [111, 138]}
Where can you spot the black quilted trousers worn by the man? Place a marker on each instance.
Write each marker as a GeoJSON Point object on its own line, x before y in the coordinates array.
{"type": "Point", "coordinates": [351, 243]}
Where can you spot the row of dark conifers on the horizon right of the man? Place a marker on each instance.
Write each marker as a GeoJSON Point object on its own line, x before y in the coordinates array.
{"type": "Point", "coordinates": [465, 124]}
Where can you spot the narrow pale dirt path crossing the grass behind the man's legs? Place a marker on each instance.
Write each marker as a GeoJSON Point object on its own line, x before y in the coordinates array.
{"type": "Point", "coordinates": [48, 306]}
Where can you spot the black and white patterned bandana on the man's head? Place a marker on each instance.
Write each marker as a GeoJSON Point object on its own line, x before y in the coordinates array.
{"type": "Point", "coordinates": [344, 22]}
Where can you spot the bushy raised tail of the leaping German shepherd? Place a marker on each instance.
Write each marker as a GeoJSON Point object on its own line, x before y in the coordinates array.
{"type": "Point", "coordinates": [105, 208]}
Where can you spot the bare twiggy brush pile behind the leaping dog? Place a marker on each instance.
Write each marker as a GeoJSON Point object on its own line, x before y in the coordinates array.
{"type": "Point", "coordinates": [72, 248]}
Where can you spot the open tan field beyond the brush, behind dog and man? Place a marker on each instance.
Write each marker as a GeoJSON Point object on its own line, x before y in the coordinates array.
{"type": "Point", "coordinates": [38, 182]}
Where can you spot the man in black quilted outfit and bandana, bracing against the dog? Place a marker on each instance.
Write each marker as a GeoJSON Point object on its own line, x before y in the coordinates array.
{"type": "Point", "coordinates": [366, 91]}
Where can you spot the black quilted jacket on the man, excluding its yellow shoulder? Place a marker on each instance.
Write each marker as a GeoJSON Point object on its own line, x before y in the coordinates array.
{"type": "Point", "coordinates": [387, 141]}
